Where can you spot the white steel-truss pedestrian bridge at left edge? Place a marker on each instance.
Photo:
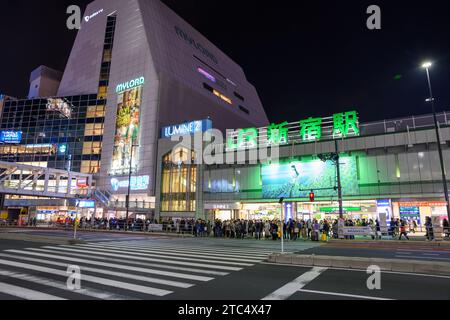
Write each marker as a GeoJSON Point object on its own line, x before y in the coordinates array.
{"type": "Point", "coordinates": [25, 180]}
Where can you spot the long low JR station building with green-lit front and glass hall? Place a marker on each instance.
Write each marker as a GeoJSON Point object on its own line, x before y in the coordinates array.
{"type": "Point", "coordinates": [387, 167]}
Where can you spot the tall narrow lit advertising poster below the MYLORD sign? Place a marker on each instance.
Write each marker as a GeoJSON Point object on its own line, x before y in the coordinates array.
{"type": "Point", "coordinates": [127, 130]}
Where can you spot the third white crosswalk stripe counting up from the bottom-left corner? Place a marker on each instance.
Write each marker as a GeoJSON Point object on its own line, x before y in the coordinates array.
{"type": "Point", "coordinates": [102, 281]}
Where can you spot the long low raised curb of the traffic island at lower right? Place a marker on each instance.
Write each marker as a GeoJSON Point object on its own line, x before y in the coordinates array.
{"type": "Point", "coordinates": [394, 265]}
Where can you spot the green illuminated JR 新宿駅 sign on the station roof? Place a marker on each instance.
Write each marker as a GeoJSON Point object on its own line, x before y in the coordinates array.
{"type": "Point", "coordinates": [340, 125]}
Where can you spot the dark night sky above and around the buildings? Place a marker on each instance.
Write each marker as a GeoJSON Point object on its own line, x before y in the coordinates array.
{"type": "Point", "coordinates": [305, 58]}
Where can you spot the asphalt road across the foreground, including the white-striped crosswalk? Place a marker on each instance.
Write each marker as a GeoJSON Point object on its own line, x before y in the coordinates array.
{"type": "Point", "coordinates": [191, 269]}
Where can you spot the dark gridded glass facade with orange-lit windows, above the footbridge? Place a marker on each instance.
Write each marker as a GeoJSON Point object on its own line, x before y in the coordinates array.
{"type": "Point", "coordinates": [60, 133]}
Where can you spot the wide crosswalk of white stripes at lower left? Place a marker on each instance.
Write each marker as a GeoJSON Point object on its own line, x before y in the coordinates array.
{"type": "Point", "coordinates": [122, 270]}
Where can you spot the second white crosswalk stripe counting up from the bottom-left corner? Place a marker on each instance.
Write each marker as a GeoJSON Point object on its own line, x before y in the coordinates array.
{"type": "Point", "coordinates": [49, 283]}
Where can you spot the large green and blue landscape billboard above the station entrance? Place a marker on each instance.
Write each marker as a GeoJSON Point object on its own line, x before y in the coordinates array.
{"type": "Point", "coordinates": [296, 179]}
